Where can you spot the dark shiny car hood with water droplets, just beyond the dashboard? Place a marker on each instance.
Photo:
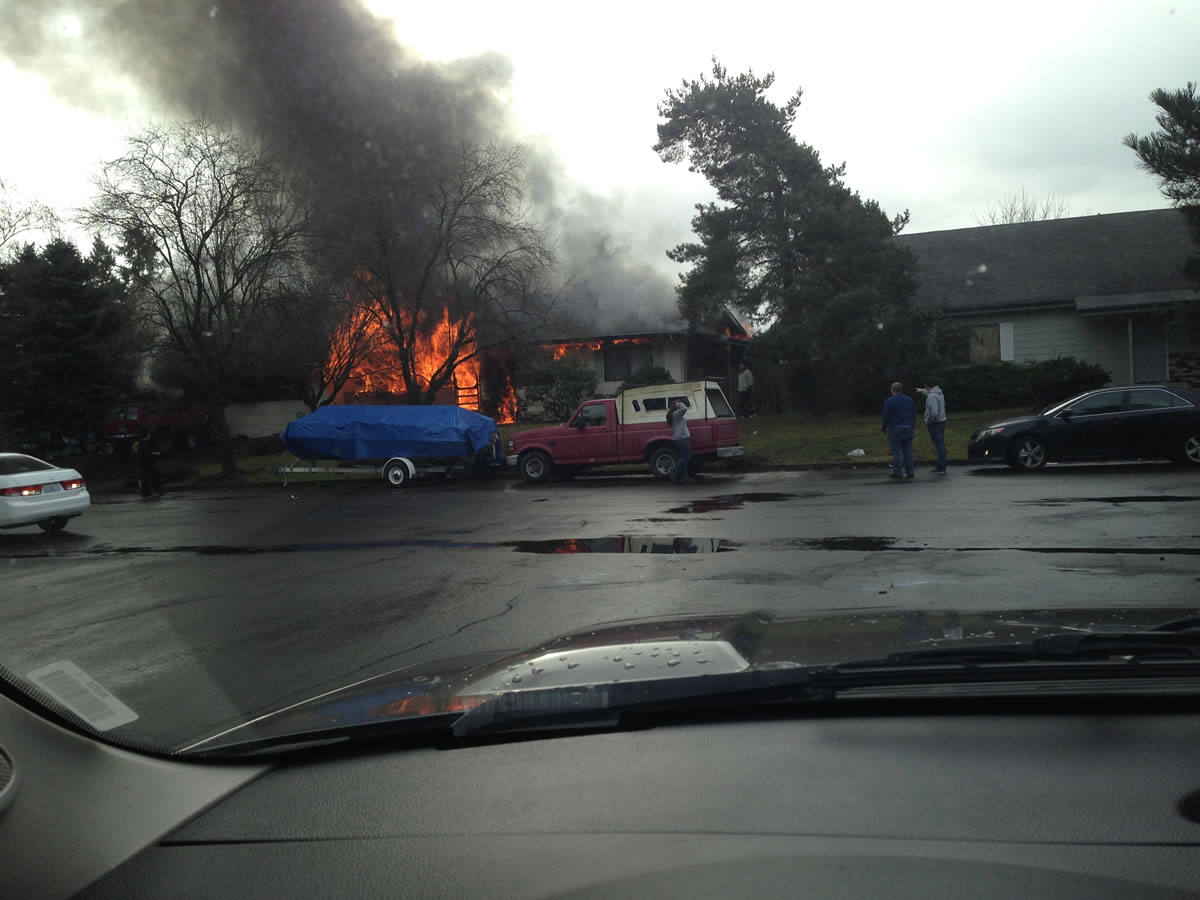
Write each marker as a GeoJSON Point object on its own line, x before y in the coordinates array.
{"type": "Point", "coordinates": [650, 650]}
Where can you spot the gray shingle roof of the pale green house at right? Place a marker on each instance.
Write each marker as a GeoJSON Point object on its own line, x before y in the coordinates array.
{"type": "Point", "coordinates": [1054, 262]}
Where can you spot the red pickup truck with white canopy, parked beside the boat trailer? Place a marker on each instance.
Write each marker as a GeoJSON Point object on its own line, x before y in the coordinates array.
{"type": "Point", "coordinates": [632, 429]}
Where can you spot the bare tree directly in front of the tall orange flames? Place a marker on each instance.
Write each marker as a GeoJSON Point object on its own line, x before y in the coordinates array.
{"type": "Point", "coordinates": [453, 250]}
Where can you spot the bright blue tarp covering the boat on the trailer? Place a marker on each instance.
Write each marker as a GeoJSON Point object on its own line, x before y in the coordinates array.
{"type": "Point", "coordinates": [382, 433]}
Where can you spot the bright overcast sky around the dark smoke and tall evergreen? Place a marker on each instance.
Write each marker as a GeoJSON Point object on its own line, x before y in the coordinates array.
{"type": "Point", "coordinates": [937, 107]}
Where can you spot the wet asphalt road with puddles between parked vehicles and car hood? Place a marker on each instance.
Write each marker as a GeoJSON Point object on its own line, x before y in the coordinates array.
{"type": "Point", "coordinates": [202, 608]}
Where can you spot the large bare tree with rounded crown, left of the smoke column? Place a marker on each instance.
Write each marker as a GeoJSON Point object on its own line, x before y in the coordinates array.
{"type": "Point", "coordinates": [215, 227]}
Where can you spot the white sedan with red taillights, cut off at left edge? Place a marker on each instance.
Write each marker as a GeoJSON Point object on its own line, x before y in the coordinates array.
{"type": "Point", "coordinates": [38, 493]}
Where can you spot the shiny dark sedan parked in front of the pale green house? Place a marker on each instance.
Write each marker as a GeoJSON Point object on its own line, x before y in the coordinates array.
{"type": "Point", "coordinates": [1136, 423]}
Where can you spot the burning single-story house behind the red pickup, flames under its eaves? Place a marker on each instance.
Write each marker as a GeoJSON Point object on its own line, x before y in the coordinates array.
{"type": "Point", "coordinates": [688, 355]}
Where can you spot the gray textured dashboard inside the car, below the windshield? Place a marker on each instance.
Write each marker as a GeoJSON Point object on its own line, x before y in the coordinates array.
{"type": "Point", "coordinates": [1091, 805]}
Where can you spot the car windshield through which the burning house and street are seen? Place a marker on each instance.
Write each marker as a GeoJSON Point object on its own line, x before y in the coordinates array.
{"type": "Point", "coordinates": [359, 327]}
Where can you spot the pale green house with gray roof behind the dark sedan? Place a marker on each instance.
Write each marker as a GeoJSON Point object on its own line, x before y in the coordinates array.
{"type": "Point", "coordinates": [1095, 287]}
